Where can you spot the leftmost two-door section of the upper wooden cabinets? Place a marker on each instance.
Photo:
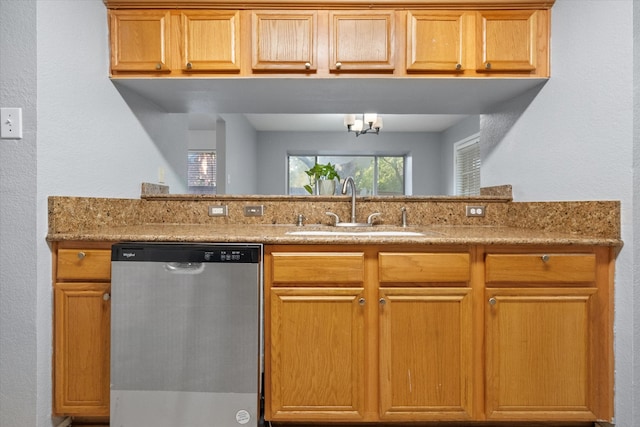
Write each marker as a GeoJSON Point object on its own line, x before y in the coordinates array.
{"type": "Point", "coordinates": [174, 42]}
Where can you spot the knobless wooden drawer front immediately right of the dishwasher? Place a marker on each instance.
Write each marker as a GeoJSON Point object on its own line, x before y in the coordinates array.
{"type": "Point", "coordinates": [317, 267]}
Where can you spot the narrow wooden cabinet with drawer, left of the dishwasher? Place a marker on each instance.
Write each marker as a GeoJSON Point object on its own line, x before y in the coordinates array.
{"type": "Point", "coordinates": [81, 331]}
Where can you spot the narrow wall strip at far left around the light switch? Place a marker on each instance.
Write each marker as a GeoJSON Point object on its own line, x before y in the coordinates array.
{"type": "Point", "coordinates": [23, 358]}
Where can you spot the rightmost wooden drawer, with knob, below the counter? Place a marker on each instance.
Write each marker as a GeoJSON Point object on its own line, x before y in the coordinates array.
{"type": "Point", "coordinates": [540, 268]}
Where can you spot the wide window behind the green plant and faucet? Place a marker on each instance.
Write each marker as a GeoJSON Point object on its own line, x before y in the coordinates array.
{"type": "Point", "coordinates": [382, 175]}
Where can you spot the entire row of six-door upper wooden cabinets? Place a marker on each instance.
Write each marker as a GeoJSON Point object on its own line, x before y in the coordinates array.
{"type": "Point", "coordinates": [477, 39]}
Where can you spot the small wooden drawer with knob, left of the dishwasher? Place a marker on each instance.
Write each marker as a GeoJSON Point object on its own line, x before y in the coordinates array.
{"type": "Point", "coordinates": [84, 264]}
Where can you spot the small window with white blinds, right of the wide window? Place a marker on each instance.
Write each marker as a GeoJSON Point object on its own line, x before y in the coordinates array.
{"type": "Point", "coordinates": [467, 167]}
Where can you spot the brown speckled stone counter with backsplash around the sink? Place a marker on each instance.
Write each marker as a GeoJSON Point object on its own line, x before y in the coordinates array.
{"type": "Point", "coordinates": [441, 220]}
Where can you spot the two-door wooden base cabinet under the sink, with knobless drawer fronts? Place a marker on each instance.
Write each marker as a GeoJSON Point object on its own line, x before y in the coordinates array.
{"type": "Point", "coordinates": [372, 343]}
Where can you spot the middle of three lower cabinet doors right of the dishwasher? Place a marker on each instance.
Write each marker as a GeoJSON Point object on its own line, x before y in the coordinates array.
{"type": "Point", "coordinates": [425, 354]}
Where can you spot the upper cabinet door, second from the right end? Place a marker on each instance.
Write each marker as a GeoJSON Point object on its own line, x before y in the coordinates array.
{"type": "Point", "coordinates": [436, 41]}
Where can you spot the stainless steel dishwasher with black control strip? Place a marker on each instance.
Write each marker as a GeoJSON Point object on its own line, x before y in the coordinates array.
{"type": "Point", "coordinates": [185, 335]}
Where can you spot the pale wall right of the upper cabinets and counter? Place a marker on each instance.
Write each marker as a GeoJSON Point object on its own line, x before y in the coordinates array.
{"type": "Point", "coordinates": [575, 142]}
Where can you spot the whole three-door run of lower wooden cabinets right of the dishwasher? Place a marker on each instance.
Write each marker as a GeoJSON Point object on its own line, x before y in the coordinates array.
{"type": "Point", "coordinates": [414, 334]}
